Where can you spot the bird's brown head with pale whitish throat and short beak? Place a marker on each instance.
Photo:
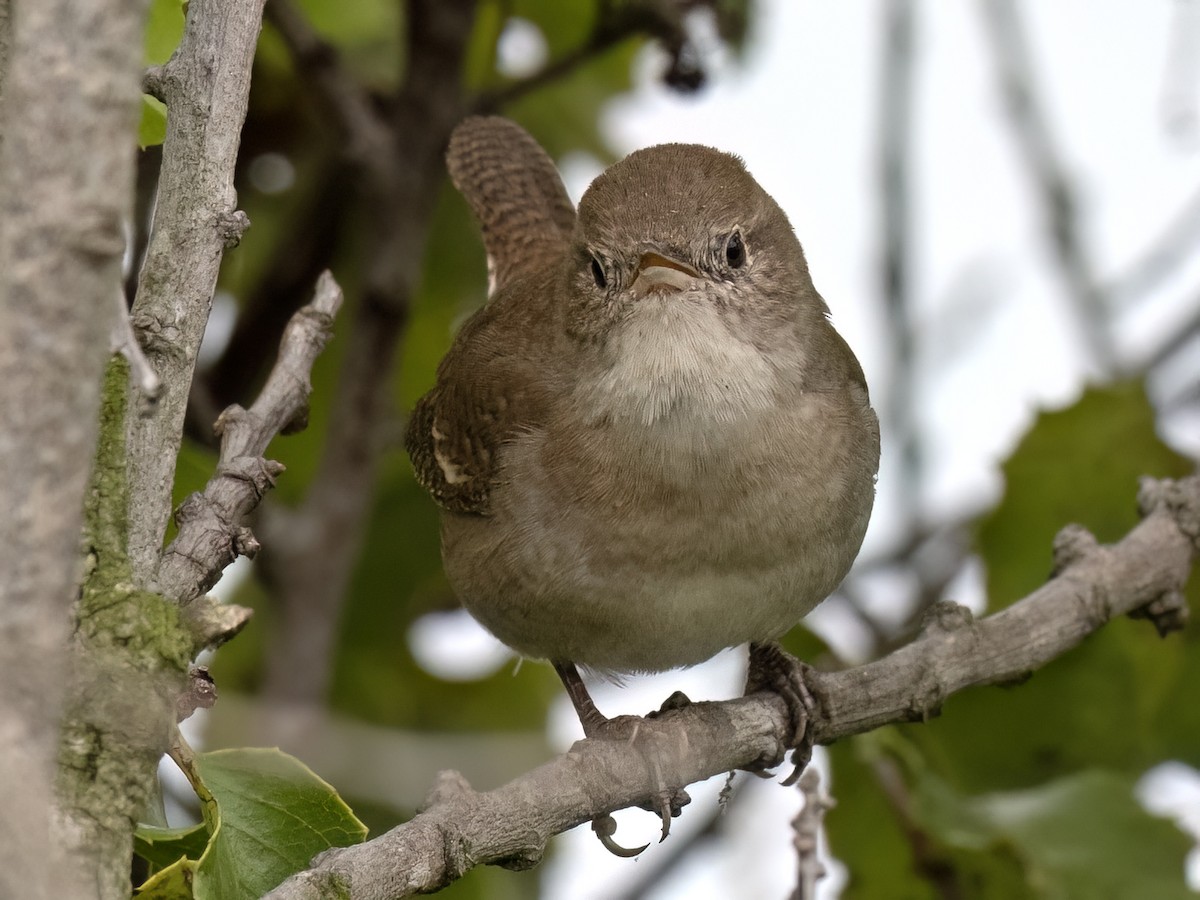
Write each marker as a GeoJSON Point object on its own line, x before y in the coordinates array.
{"type": "Point", "coordinates": [687, 285]}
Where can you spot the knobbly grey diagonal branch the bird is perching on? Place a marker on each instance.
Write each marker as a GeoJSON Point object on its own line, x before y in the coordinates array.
{"type": "Point", "coordinates": [512, 825]}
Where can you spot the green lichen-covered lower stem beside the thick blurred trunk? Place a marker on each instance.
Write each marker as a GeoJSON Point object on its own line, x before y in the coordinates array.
{"type": "Point", "coordinates": [131, 657]}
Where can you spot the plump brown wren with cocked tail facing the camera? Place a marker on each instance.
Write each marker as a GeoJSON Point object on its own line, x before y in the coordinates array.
{"type": "Point", "coordinates": [650, 445]}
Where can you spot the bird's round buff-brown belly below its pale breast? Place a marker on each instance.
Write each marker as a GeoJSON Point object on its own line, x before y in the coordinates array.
{"type": "Point", "coordinates": [649, 569]}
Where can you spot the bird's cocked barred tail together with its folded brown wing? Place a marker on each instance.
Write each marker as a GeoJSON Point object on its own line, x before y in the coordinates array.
{"type": "Point", "coordinates": [488, 383]}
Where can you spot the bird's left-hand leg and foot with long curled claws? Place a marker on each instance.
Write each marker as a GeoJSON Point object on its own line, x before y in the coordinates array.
{"type": "Point", "coordinates": [668, 802]}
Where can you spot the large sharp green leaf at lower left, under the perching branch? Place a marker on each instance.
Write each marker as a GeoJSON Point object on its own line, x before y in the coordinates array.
{"type": "Point", "coordinates": [273, 815]}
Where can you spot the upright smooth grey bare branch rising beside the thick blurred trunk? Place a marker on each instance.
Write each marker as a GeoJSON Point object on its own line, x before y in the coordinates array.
{"type": "Point", "coordinates": [206, 87]}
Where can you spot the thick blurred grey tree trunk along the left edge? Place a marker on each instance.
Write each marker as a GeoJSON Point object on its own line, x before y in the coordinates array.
{"type": "Point", "coordinates": [70, 79]}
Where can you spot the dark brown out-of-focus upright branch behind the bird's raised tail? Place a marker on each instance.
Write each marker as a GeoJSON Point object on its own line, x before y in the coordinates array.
{"type": "Point", "coordinates": [313, 549]}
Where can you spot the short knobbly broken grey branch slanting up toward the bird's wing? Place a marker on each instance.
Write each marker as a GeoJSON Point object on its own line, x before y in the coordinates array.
{"type": "Point", "coordinates": [212, 531]}
